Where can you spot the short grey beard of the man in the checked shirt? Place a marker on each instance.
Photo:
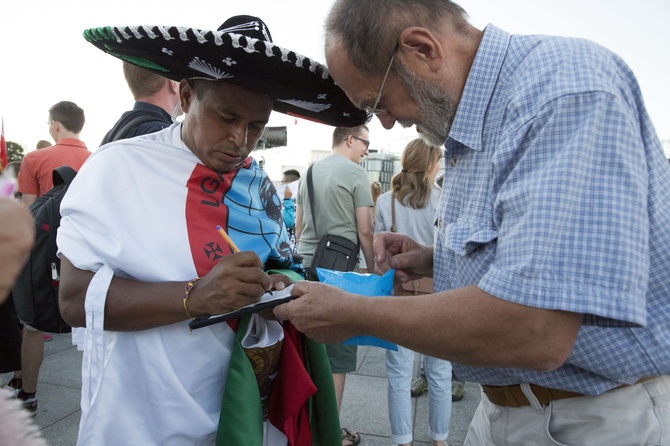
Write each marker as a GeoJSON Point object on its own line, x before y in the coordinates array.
{"type": "Point", "coordinates": [436, 110]}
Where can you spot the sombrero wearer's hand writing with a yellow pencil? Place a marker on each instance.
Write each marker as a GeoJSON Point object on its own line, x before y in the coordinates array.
{"type": "Point", "coordinates": [236, 281]}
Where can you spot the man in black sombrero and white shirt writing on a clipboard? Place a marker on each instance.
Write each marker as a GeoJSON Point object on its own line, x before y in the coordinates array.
{"type": "Point", "coordinates": [141, 255]}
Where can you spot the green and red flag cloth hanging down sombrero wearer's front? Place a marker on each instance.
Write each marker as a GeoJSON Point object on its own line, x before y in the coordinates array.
{"type": "Point", "coordinates": [303, 402]}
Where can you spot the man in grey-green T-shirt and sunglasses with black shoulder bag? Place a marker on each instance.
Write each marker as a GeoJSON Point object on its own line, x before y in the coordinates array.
{"type": "Point", "coordinates": [342, 206]}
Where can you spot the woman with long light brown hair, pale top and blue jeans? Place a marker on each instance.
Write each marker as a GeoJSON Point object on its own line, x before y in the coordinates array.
{"type": "Point", "coordinates": [409, 208]}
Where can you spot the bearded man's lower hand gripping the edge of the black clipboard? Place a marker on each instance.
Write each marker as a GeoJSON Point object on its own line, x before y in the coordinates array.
{"type": "Point", "coordinates": [323, 312]}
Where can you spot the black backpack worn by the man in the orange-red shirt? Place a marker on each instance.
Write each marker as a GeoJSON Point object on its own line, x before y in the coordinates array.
{"type": "Point", "coordinates": [35, 292]}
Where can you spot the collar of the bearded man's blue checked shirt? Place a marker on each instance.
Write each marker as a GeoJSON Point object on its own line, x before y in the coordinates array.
{"type": "Point", "coordinates": [471, 113]}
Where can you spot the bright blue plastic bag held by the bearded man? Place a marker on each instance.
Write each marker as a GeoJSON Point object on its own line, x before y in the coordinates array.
{"type": "Point", "coordinates": [367, 285]}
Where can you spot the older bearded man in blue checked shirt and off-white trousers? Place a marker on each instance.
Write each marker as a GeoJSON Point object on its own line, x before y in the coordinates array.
{"type": "Point", "coordinates": [553, 244]}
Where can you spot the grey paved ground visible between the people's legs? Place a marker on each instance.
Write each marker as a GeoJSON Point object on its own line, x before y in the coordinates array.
{"type": "Point", "coordinates": [364, 405]}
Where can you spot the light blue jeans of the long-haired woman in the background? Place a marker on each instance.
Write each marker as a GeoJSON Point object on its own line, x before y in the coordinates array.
{"type": "Point", "coordinates": [438, 374]}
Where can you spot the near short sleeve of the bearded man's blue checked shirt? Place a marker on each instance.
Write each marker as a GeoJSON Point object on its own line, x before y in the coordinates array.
{"type": "Point", "coordinates": [572, 212]}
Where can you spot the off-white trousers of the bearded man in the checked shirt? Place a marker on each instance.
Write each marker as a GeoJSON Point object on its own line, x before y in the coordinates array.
{"type": "Point", "coordinates": [637, 415]}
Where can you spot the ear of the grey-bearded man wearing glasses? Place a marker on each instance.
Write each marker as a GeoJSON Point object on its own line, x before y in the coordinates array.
{"type": "Point", "coordinates": [419, 49]}
